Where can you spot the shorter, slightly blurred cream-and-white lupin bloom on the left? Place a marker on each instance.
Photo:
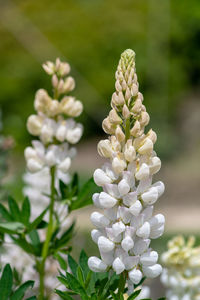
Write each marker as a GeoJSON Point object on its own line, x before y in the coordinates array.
{"type": "Point", "coordinates": [54, 123]}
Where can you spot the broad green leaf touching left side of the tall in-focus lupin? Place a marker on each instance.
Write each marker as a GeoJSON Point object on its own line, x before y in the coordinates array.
{"type": "Point", "coordinates": [84, 197]}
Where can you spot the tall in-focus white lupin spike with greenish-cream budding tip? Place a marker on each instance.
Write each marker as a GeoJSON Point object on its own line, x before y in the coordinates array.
{"type": "Point", "coordinates": [127, 225]}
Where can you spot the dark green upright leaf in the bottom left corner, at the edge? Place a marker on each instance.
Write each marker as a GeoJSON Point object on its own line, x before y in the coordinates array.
{"type": "Point", "coordinates": [6, 283]}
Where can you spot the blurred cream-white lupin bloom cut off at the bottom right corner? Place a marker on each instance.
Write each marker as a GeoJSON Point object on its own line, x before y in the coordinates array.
{"type": "Point", "coordinates": [182, 273]}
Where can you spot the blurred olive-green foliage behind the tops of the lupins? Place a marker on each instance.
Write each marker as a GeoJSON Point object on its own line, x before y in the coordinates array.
{"type": "Point", "coordinates": [91, 34]}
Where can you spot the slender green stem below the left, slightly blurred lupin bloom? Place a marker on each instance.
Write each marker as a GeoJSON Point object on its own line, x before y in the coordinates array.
{"type": "Point", "coordinates": [49, 233]}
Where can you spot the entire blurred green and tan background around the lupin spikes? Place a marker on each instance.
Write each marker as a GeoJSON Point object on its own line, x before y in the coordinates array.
{"type": "Point", "coordinates": [90, 35]}
